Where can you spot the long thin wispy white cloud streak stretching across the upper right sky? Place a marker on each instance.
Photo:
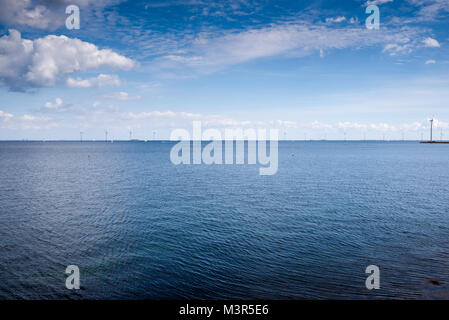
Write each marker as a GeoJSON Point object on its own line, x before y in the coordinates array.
{"type": "Point", "coordinates": [209, 53]}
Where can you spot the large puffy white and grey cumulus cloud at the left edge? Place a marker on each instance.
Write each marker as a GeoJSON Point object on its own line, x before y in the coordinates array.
{"type": "Point", "coordinates": [42, 62]}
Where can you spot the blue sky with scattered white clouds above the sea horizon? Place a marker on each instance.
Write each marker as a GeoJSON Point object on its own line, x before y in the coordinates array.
{"type": "Point", "coordinates": [311, 69]}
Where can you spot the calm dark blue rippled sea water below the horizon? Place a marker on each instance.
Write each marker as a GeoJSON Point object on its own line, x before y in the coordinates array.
{"type": "Point", "coordinates": [140, 227]}
